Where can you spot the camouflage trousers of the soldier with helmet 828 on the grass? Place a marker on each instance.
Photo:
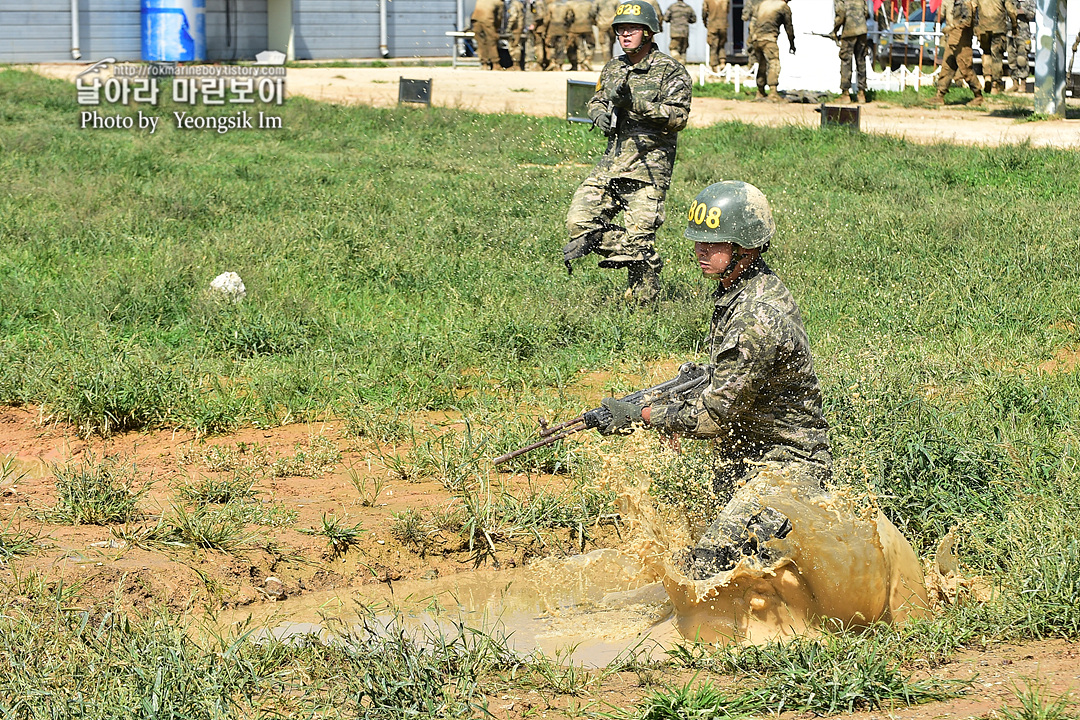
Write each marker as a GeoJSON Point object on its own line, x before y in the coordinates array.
{"type": "Point", "coordinates": [591, 222]}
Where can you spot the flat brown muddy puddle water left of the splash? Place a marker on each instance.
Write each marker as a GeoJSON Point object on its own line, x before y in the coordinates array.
{"type": "Point", "coordinates": [588, 608]}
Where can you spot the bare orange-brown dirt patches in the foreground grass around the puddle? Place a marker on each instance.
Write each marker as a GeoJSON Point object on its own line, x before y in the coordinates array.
{"type": "Point", "coordinates": [281, 565]}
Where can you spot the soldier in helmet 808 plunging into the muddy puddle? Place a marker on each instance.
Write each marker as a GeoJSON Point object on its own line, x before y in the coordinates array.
{"type": "Point", "coordinates": [764, 403]}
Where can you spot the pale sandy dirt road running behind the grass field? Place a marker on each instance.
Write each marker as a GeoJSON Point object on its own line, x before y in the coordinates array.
{"type": "Point", "coordinates": [545, 94]}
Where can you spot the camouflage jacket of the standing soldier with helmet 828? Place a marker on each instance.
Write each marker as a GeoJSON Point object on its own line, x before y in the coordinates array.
{"type": "Point", "coordinates": [643, 146]}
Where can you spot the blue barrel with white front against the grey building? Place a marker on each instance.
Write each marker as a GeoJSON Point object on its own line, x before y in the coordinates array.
{"type": "Point", "coordinates": [174, 31]}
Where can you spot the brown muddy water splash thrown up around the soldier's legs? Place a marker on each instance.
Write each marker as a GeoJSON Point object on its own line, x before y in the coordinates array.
{"type": "Point", "coordinates": [844, 563]}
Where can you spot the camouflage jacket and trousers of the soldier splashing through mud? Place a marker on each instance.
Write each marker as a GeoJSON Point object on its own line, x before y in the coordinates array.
{"type": "Point", "coordinates": [764, 405]}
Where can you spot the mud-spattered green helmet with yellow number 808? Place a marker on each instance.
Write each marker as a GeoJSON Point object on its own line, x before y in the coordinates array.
{"type": "Point", "coordinates": [732, 212]}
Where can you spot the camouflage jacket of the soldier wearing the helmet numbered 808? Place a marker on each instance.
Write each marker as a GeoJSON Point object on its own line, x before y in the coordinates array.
{"type": "Point", "coordinates": [764, 402]}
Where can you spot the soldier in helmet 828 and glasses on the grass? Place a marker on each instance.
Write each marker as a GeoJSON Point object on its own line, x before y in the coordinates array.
{"type": "Point", "coordinates": [642, 102]}
